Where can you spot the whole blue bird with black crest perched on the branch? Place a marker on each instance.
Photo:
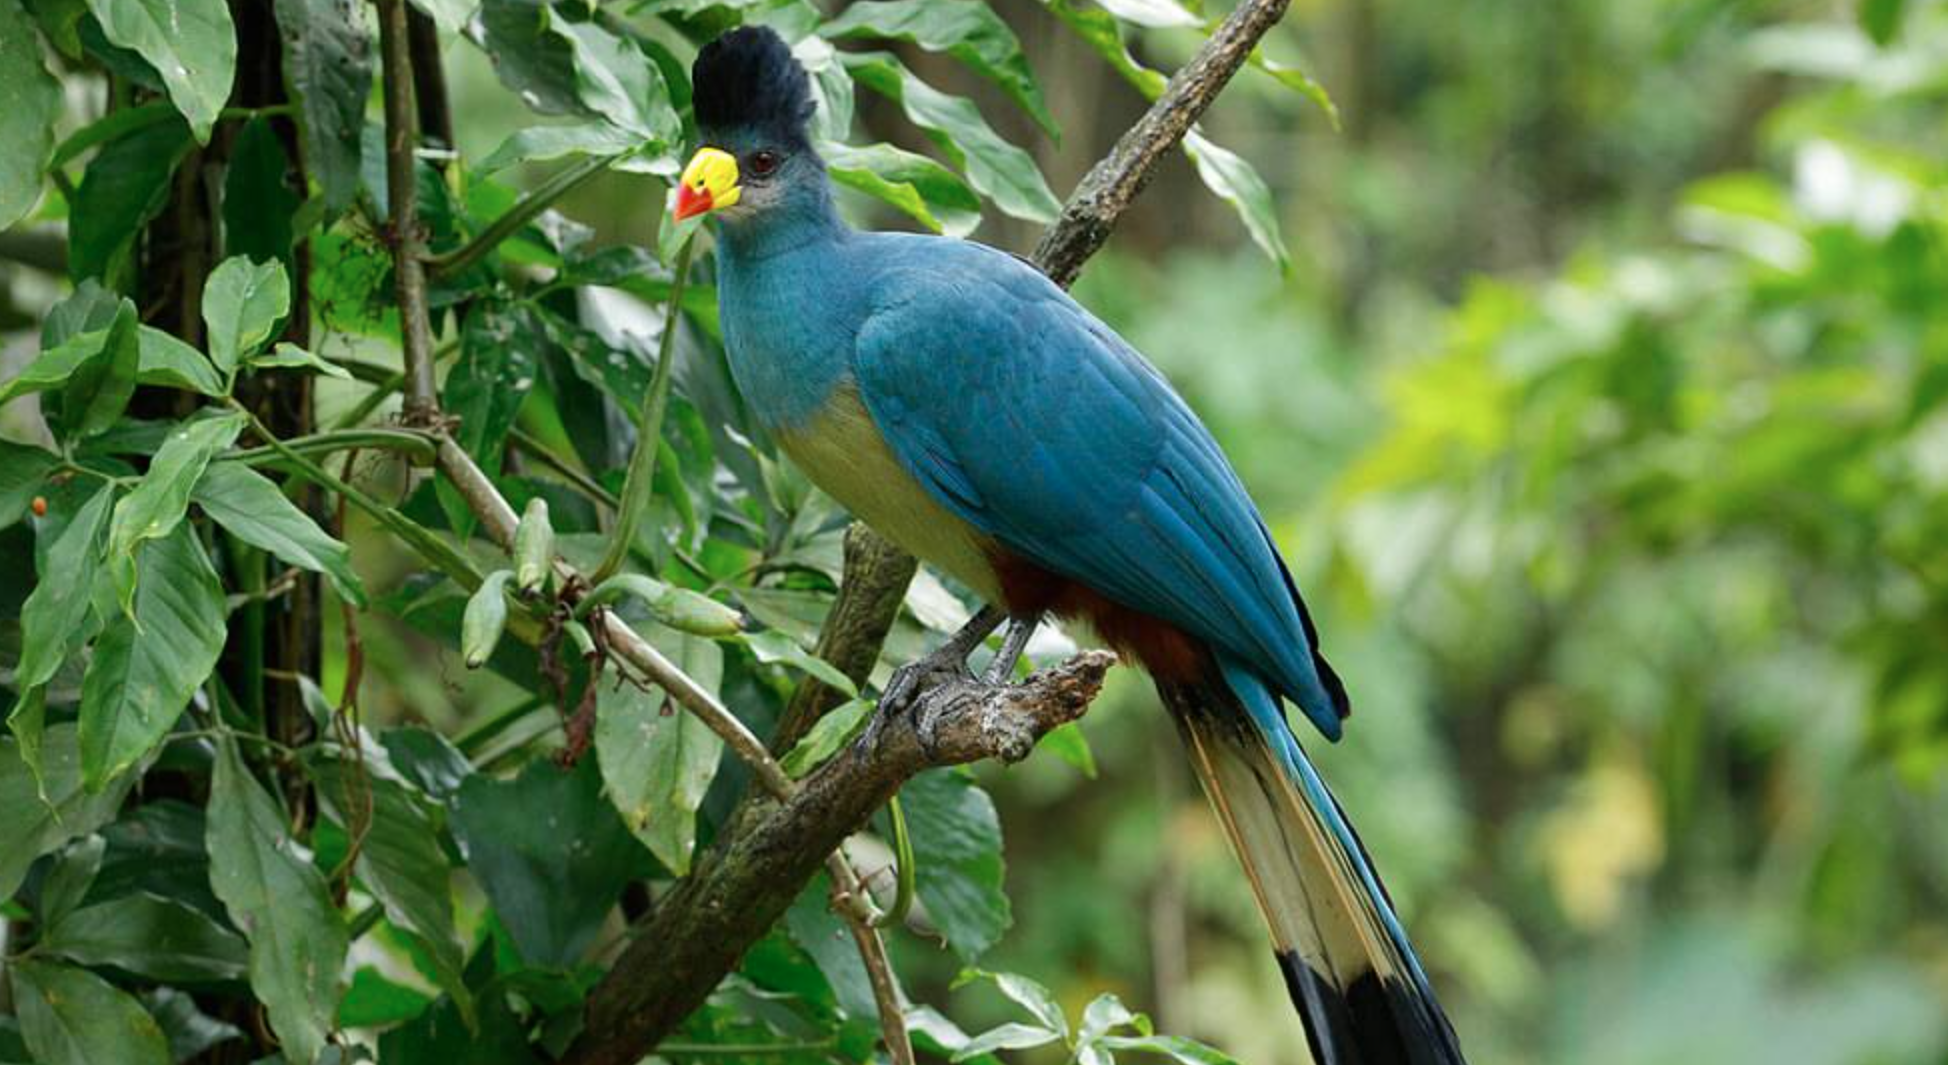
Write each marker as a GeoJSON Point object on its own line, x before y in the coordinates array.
{"type": "Point", "coordinates": [969, 410]}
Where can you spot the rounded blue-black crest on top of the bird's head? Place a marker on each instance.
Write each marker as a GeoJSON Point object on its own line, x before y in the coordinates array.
{"type": "Point", "coordinates": [751, 79]}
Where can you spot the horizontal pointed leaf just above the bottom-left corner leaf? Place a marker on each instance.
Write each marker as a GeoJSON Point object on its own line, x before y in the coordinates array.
{"type": "Point", "coordinates": [153, 937]}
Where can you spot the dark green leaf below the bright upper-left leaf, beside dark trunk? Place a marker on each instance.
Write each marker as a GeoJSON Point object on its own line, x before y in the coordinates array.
{"type": "Point", "coordinates": [126, 186]}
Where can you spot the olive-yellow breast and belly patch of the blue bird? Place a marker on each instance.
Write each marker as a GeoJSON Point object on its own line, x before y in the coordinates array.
{"type": "Point", "coordinates": [846, 457]}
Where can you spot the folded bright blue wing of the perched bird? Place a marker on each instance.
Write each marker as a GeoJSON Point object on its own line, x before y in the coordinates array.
{"type": "Point", "coordinates": [1031, 420]}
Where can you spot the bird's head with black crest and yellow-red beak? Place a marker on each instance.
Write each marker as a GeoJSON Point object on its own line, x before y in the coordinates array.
{"type": "Point", "coordinates": [753, 104]}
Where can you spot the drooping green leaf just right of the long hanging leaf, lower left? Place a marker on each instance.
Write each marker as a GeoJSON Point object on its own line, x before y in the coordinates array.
{"type": "Point", "coordinates": [404, 865]}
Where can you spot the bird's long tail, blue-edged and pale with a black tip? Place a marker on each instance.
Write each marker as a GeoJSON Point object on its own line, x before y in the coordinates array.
{"type": "Point", "coordinates": [1349, 967]}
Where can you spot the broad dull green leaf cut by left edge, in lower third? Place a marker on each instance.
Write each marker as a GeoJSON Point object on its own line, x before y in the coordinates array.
{"type": "Point", "coordinates": [34, 825]}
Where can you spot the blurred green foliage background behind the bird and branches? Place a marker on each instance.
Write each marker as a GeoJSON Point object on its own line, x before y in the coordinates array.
{"type": "Point", "coordinates": [1604, 418]}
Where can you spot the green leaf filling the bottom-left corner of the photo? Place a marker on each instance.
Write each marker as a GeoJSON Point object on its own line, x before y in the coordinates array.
{"type": "Point", "coordinates": [73, 1017]}
